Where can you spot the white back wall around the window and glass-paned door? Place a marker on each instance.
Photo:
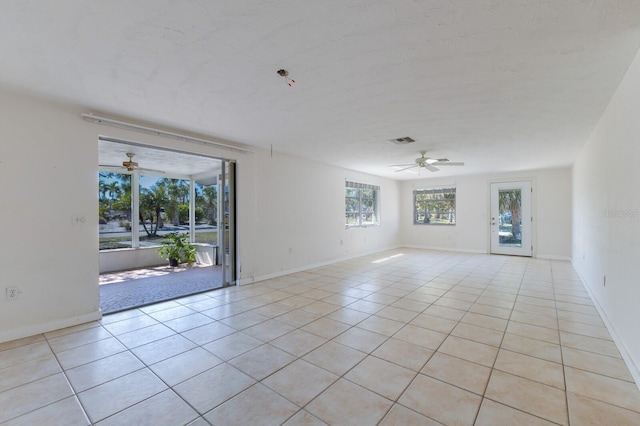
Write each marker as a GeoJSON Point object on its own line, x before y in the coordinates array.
{"type": "Point", "coordinates": [551, 212]}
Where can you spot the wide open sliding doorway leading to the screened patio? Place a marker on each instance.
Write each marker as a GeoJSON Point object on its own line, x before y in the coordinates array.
{"type": "Point", "coordinates": [149, 196]}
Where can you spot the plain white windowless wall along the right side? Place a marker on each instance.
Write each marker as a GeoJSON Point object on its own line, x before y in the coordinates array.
{"type": "Point", "coordinates": [606, 214]}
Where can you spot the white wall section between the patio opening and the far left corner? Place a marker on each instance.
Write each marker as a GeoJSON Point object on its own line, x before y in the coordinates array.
{"type": "Point", "coordinates": [300, 217]}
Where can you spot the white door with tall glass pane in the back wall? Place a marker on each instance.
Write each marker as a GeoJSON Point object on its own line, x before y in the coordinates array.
{"type": "Point", "coordinates": [511, 218]}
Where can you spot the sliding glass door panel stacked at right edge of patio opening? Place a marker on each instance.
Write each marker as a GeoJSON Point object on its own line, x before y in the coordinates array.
{"type": "Point", "coordinates": [227, 226]}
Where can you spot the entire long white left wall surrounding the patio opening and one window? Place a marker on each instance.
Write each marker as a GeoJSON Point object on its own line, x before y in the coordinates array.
{"type": "Point", "coordinates": [48, 170]}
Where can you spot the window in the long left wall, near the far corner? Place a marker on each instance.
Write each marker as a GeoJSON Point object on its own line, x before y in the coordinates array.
{"type": "Point", "coordinates": [361, 204]}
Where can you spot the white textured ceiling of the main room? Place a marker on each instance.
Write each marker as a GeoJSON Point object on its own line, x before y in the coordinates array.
{"type": "Point", "coordinates": [499, 84]}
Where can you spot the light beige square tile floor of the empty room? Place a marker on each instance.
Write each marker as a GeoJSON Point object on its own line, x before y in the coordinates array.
{"type": "Point", "coordinates": [401, 338]}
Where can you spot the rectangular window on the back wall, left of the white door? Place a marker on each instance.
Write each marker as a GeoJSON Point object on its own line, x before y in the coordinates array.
{"type": "Point", "coordinates": [436, 206]}
